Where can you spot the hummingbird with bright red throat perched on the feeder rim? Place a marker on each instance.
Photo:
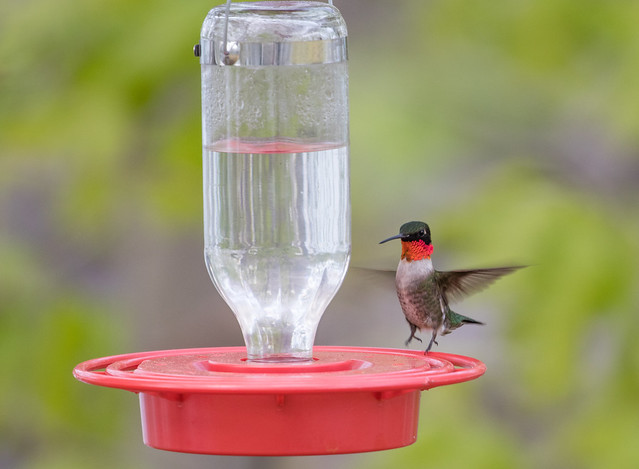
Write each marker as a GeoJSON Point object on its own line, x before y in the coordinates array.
{"type": "Point", "coordinates": [425, 293]}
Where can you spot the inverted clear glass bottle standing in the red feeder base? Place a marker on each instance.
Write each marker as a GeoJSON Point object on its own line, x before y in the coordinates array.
{"type": "Point", "coordinates": [276, 168]}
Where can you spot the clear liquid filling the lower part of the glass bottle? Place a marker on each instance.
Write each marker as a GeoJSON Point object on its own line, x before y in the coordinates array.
{"type": "Point", "coordinates": [277, 238]}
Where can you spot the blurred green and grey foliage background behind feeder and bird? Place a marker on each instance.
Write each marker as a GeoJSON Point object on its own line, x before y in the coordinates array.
{"type": "Point", "coordinates": [511, 127]}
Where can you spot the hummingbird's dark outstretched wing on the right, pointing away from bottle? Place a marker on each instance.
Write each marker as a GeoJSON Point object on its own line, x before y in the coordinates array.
{"type": "Point", "coordinates": [456, 284]}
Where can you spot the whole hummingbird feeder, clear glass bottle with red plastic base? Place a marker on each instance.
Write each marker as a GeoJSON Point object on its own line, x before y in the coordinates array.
{"type": "Point", "coordinates": [277, 247]}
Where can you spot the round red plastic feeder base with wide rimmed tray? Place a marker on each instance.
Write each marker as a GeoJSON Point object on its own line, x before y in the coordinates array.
{"type": "Point", "coordinates": [213, 401]}
